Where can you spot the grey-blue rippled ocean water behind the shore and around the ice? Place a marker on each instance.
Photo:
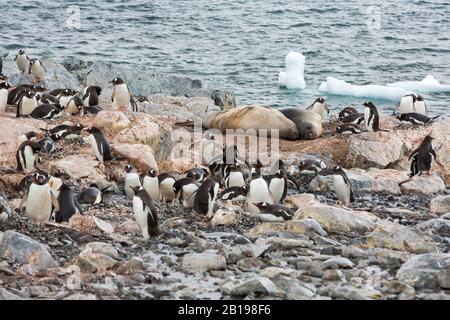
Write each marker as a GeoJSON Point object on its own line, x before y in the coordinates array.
{"type": "Point", "coordinates": [241, 45]}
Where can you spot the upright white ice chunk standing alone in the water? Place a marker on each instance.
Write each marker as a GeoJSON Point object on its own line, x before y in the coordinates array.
{"type": "Point", "coordinates": [293, 77]}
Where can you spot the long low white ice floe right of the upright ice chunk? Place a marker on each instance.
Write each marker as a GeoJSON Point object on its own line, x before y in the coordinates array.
{"type": "Point", "coordinates": [342, 88]}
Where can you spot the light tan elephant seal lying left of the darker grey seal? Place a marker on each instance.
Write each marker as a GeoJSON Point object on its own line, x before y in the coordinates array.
{"type": "Point", "coordinates": [252, 117]}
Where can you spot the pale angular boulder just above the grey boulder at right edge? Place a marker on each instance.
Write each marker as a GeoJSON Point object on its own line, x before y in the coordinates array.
{"type": "Point", "coordinates": [394, 236]}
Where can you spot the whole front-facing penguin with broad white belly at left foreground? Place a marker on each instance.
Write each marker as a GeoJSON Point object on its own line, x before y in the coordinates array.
{"type": "Point", "coordinates": [39, 199]}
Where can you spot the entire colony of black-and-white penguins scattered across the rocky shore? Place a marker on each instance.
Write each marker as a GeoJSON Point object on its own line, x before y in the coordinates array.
{"type": "Point", "coordinates": [226, 177]}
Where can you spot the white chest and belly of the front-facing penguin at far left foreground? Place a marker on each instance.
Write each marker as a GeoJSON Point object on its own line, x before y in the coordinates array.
{"type": "Point", "coordinates": [39, 203]}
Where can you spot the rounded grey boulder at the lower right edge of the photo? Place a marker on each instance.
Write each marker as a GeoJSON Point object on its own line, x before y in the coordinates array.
{"type": "Point", "coordinates": [425, 271]}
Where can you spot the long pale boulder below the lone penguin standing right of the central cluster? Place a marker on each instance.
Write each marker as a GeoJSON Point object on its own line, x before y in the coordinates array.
{"type": "Point", "coordinates": [337, 220]}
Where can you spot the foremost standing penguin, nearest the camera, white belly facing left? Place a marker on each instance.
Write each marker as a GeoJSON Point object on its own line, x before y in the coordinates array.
{"type": "Point", "coordinates": [145, 212]}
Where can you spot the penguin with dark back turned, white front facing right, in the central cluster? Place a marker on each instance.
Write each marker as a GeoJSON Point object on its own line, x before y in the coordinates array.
{"type": "Point", "coordinates": [206, 196]}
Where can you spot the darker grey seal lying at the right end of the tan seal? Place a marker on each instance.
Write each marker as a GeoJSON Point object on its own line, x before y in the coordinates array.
{"type": "Point", "coordinates": [309, 123]}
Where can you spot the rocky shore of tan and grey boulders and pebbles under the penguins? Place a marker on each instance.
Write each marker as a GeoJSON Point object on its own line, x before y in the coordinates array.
{"type": "Point", "coordinates": [392, 243]}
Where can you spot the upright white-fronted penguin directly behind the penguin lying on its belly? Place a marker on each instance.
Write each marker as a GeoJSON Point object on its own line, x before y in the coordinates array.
{"type": "Point", "coordinates": [258, 190]}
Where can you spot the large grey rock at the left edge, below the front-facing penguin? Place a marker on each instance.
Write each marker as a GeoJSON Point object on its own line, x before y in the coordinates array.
{"type": "Point", "coordinates": [21, 249]}
